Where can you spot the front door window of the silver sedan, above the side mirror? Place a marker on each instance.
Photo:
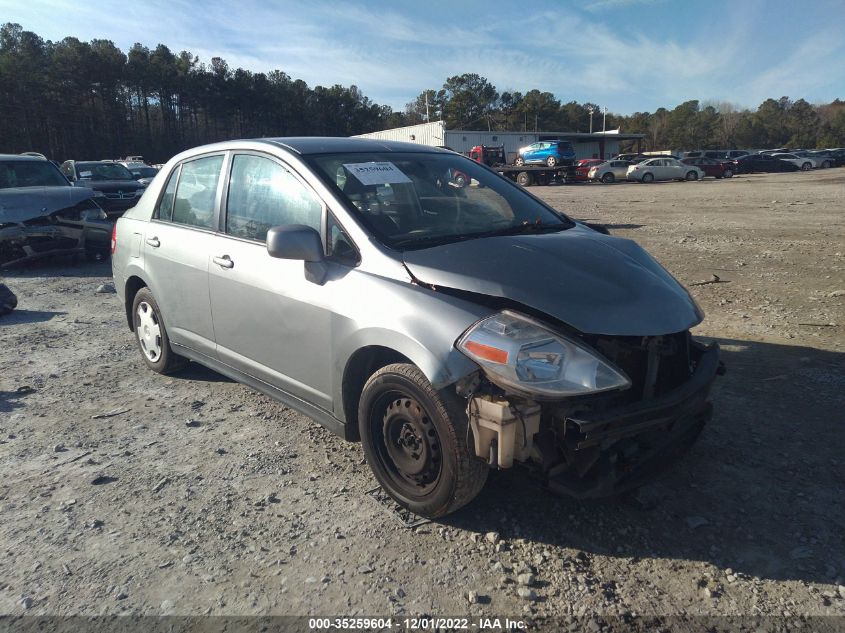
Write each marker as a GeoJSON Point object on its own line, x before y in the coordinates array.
{"type": "Point", "coordinates": [263, 194]}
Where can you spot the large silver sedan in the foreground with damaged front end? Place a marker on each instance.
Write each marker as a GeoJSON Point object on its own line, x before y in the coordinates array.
{"type": "Point", "coordinates": [414, 300]}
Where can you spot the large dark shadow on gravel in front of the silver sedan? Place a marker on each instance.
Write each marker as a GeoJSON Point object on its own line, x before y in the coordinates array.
{"type": "Point", "coordinates": [760, 492]}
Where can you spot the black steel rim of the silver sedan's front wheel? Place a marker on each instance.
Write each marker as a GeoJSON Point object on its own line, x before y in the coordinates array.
{"type": "Point", "coordinates": [406, 444]}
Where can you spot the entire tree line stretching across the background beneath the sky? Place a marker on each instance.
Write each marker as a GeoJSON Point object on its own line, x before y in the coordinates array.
{"type": "Point", "coordinates": [89, 100]}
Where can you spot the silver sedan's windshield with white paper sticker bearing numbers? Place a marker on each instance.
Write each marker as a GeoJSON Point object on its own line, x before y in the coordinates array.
{"type": "Point", "coordinates": [415, 200]}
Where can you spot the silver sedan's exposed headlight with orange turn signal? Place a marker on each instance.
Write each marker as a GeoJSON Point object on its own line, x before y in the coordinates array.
{"type": "Point", "coordinates": [516, 351]}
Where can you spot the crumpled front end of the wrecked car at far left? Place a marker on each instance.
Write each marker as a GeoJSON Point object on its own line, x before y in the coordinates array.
{"type": "Point", "coordinates": [78, 229]}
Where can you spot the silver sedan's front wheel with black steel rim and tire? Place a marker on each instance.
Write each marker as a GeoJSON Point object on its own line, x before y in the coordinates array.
{"type": "Point", "coordinates": [415, 442]}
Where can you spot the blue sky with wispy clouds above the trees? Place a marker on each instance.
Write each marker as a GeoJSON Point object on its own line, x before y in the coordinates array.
{"type": "Point", "coordinates": [628, 55]}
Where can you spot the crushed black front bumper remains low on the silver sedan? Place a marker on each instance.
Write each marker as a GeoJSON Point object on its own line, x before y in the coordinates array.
{"type": "Point", "coordinates": [611, 451]}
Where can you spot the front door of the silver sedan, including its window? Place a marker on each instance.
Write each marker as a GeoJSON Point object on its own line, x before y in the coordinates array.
{"type": "Point", "coordinates": [270, 321]}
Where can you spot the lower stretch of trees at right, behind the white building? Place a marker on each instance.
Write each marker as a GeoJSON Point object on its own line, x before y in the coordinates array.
{"type": "Point", "coordinates": [470, 101]}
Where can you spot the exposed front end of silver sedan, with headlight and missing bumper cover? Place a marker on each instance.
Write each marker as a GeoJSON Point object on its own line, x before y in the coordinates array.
{"type": "Point", "coordinates": [595, 414]}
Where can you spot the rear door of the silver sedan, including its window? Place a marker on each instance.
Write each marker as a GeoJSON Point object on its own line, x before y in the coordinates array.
{"type": "Point", "coordinates": [177, 244]}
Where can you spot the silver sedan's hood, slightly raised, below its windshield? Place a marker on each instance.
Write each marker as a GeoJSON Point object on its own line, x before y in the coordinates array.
{"type": "Point", "coordinates": [596, 283]}
